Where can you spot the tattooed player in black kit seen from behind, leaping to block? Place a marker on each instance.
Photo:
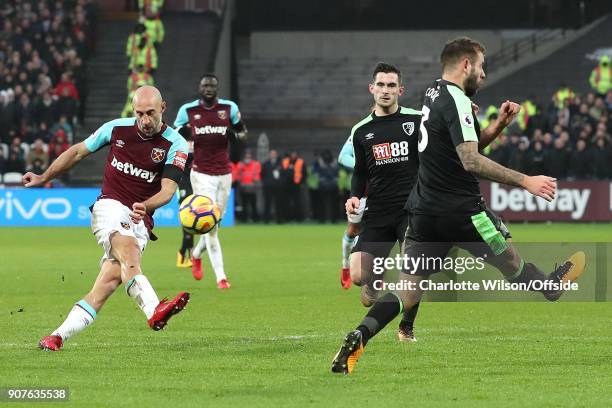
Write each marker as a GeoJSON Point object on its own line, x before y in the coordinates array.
{"type": "Point", "coordinates": [446, 206]}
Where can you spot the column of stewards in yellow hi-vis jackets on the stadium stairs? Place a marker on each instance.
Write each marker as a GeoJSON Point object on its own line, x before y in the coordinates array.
{"type": "Point", "coordinates": [141, 49]}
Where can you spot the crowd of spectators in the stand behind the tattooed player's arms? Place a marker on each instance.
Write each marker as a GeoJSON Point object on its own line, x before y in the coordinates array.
{"type": "Point", "coordinates": [569, 138]}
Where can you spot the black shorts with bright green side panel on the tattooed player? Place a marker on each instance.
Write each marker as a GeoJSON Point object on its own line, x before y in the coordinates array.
{"type": "Point", "coordinates": [483, 234]}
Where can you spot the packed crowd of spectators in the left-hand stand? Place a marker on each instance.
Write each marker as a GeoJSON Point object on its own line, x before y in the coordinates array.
{"type": "Point", "coordinates": [43, 85]}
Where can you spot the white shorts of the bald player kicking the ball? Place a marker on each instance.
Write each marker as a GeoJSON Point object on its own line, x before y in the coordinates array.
{"type": "Point", "coordinates": [110, 216]}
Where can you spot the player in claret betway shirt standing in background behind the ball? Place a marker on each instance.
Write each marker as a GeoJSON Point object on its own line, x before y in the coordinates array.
{"type": "Point", "coordinates": [212, 123]}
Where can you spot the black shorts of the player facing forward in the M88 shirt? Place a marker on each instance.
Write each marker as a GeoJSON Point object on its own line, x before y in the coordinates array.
{"type": "Point", "coordinates": [380, 233]}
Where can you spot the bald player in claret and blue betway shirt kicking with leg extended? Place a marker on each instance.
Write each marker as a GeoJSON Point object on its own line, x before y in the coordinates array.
{"type": "Point", "coordinates": [144, 164]}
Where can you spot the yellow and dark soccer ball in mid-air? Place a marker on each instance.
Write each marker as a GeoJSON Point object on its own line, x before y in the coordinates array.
{"type": "Point", "coordinates": [198, 214]}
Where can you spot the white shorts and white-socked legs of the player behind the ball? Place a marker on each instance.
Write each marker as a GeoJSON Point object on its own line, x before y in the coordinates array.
{"type": "Point", "coordinates": [218, 189]}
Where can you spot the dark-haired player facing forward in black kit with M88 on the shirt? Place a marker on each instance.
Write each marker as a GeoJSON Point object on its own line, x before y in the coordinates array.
{"type": "Point", "coordinates": [386, 160]}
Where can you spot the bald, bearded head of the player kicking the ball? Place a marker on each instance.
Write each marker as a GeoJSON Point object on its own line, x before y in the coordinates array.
{"type": "Point", "coordinates": [148, 107]}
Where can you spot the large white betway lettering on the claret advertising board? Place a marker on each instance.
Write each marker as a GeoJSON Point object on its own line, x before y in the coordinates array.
{"type": "Point", "coordinates": [570, 200]}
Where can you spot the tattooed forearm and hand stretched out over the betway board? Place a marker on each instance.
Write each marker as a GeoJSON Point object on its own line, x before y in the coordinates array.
{"type": "Point", "coordinates": [474, 162]}
